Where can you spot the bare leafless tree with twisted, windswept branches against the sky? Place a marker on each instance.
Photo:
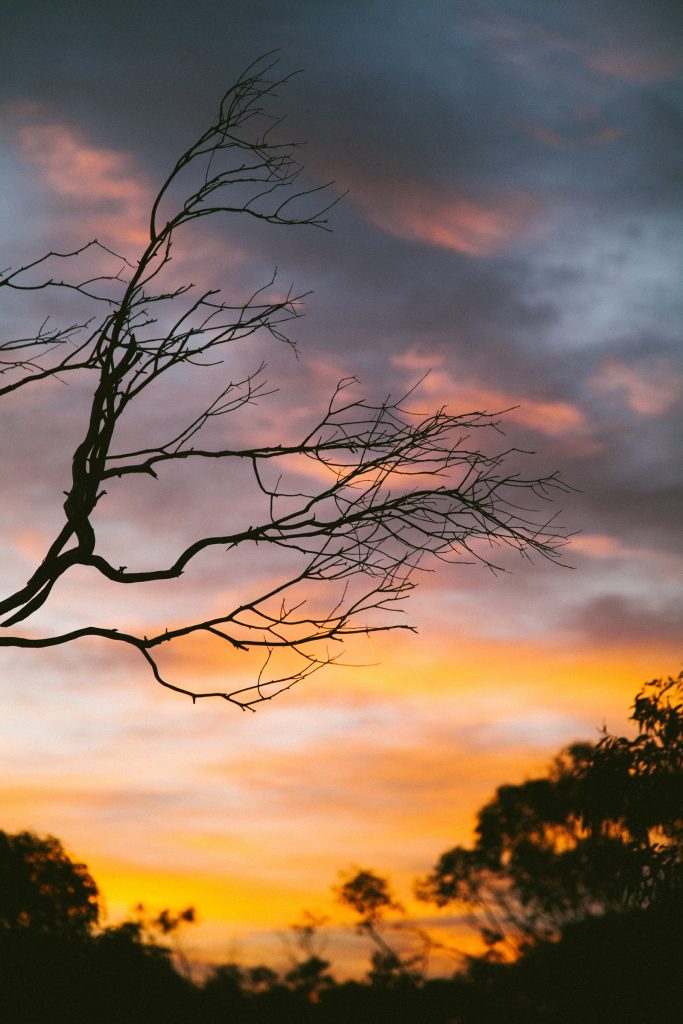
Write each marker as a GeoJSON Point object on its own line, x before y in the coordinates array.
{"type": "Point", "coordinates": [392, 485]}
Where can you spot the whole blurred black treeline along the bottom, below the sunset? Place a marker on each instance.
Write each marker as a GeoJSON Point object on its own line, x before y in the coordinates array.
{"type": "Point", "coordinates": [574, 883]}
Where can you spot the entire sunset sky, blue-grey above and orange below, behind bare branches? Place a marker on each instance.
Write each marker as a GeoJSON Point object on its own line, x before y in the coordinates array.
{"type": "Point", "coordinates": [511, 223]}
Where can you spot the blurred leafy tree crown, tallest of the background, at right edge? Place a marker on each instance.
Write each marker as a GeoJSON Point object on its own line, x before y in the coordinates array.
{"type": "Point", "coordinates": [602, 834]}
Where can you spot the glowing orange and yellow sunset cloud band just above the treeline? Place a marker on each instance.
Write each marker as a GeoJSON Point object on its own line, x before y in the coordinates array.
{"type": "Point", "coordinates": [250, 818]}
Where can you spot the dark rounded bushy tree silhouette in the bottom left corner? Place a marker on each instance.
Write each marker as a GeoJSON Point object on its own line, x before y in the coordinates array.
{"type": "Point", "coordinates": [57, 963]}
